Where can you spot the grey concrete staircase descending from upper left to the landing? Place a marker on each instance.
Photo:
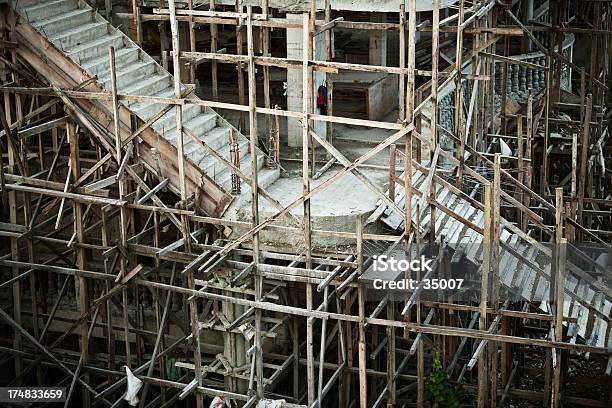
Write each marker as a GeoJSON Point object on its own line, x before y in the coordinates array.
{"type": "Point", "coordinates": [85, 37]}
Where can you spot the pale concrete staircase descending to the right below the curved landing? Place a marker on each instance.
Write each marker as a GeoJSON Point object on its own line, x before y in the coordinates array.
{"type": "Point", "coordinates": [525, 264]}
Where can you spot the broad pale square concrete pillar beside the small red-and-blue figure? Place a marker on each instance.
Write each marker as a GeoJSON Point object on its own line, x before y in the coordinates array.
{"type": "Point", "coordinates": [295, 48]}
